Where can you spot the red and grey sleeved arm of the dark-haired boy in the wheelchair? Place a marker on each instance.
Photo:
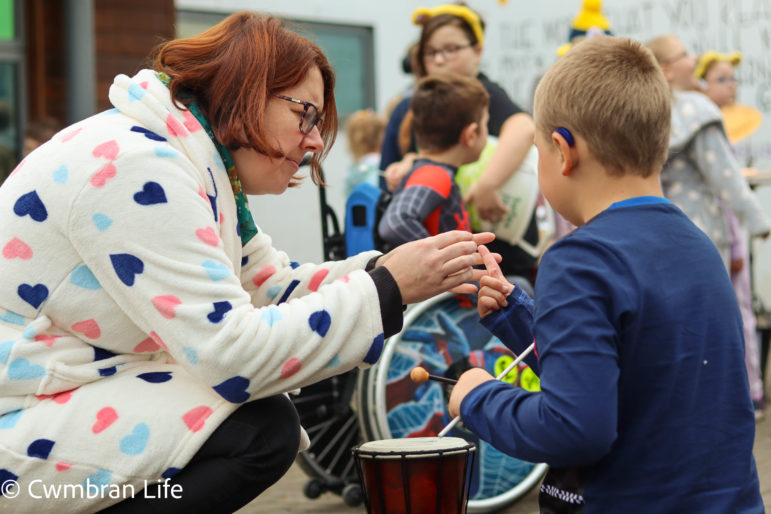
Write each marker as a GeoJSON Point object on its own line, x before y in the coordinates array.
{"type": "Point", "coordinates": [407, 215]}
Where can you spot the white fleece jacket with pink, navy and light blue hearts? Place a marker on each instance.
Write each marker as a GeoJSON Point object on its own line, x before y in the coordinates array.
{"type": "Point", "coordinates": [132, 321]}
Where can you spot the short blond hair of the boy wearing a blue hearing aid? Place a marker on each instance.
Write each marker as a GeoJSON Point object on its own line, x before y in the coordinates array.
{"type": "Point", "coordinates": [611, 92]}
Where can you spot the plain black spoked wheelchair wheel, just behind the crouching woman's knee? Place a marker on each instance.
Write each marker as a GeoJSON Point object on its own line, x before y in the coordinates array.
{"type": "Point", "coordinates": [332, 425]}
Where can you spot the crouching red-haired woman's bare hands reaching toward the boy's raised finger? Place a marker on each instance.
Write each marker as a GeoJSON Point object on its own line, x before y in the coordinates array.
{"type": "Point", "coordinates": [426, 267]}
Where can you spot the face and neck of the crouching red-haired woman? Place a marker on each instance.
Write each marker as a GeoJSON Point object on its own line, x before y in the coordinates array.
{"type": "Point", "coordinates": [260, 174]}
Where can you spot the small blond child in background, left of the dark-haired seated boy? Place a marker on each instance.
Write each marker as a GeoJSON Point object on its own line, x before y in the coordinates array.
{"type": "Point", "coordinates": [365, 131]}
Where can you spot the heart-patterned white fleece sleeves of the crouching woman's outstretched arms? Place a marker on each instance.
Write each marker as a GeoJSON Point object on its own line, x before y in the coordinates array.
{"type": "Point", "coordinates": [161, 265]}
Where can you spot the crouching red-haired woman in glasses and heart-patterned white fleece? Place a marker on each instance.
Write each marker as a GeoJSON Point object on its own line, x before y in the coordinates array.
{"type": "Point", "coordinates": [148, 328]}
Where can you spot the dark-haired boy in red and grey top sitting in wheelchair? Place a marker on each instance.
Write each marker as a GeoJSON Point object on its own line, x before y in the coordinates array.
{"type": "Point", "coordinates": [450, 125]}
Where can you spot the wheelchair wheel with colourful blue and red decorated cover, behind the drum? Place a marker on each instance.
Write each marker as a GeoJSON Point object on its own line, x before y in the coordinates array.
{"type": "Point", "coordinates": [443, 335]}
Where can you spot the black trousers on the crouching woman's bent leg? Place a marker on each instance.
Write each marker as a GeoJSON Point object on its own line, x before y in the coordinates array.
{"type": "Point", "coordinates": [250, 451]}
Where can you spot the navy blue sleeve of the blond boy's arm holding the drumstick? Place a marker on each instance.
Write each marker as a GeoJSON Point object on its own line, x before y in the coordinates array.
{"type": "Point", "coordinates": [573, 419]}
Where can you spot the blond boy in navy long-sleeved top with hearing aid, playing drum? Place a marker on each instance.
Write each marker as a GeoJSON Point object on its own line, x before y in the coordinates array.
{"type": "Point", "coordinates": [637, 332]}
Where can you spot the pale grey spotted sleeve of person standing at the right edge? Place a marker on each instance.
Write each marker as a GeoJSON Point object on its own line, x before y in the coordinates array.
{"type": "Point", "coordinates": [714, 157]}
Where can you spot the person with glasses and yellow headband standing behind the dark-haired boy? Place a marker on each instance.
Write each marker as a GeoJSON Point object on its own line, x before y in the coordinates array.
{"type": "Point", "coordinates": [452, 41]}
